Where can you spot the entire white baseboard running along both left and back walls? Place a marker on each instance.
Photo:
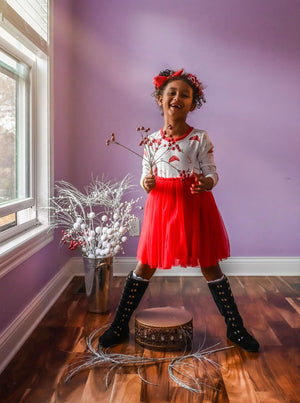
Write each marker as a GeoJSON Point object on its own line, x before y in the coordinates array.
{"type": "Point", "coordinates": [20, 329]}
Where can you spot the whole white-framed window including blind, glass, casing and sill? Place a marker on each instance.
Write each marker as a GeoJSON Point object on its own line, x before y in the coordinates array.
{"type": "Point", "coordinates": [25, 140]}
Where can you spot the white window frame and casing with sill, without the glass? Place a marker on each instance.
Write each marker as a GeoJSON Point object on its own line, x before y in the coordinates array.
{"type": "Point", "coordinates": [20, 242]}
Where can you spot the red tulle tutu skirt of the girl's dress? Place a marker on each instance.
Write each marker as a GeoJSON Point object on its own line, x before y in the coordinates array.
{"type": "Point", "coordinates": [181, 229]}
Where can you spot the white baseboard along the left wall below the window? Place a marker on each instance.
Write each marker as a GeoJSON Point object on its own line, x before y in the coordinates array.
{"type": "Point", "coordinates": [15, 335]}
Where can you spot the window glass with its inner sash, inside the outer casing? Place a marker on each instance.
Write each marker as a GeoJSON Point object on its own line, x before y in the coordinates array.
{"type": "Point", "coordinates": [15, 177]}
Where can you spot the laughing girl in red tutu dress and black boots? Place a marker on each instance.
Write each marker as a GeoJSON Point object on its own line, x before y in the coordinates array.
{"type": "Point", "coordinates": [182, 225]}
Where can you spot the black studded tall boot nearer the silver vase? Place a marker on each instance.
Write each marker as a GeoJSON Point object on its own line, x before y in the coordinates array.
{"type": "Point", "coordinates": [132, 294]}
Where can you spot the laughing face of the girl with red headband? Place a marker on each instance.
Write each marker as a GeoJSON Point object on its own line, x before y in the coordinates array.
{"type": "Point", "coordinates": [176, 100]}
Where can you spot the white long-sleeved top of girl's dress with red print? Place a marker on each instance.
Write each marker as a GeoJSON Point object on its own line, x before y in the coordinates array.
{"type": "Point", "coordinates": [195, 154]}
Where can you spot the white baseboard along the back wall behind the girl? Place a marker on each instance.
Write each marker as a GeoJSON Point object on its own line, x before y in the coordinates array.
{"type": "Point", "coordinates": [234, 266]}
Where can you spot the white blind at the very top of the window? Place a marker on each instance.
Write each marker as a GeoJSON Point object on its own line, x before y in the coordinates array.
{"type": "Point", "coordinates": [29, 17]}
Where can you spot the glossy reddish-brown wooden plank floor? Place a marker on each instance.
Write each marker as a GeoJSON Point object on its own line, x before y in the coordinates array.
{"type": "Point", "coordinates": [270, 307]}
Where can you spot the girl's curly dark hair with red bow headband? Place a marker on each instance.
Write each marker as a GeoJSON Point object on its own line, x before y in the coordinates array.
{"type": "Point", "coordinates": [191, 80]}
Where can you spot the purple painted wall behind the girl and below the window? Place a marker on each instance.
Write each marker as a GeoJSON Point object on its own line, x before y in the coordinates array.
{"type": "Point", "coordinates": [247, 53]}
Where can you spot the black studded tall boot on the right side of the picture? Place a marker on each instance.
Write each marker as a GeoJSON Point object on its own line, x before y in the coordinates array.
{"type": "Point", "coordinates": [224, 300]}
